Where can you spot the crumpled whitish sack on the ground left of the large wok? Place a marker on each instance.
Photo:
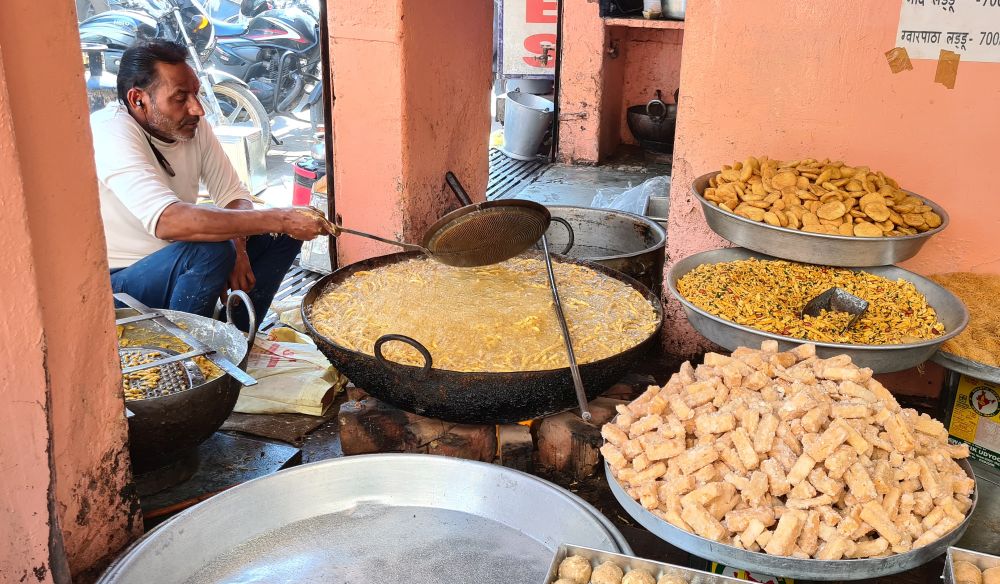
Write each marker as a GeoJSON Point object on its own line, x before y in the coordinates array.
{"type": "Point", "coordinates": [293, 377]}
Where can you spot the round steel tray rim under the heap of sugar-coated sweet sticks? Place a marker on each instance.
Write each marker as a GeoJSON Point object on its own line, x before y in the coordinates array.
{"type": "Point", "coordinates": [822, 570]}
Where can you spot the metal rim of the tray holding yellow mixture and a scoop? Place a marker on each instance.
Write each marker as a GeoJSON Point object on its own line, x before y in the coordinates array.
{"type": "Point", "coordinates": [673, 277]}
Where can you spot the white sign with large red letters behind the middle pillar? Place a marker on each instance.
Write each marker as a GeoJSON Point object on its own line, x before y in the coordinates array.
{"type": "Point", "coordinates": [528, 29]}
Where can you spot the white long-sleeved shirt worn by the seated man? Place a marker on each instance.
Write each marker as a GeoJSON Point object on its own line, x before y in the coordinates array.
{"type": "Point", "coordinates": [135, 189]}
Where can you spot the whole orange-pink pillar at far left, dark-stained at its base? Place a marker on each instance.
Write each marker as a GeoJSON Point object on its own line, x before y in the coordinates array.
{"type": "Point", "coordinates": [64, 486]}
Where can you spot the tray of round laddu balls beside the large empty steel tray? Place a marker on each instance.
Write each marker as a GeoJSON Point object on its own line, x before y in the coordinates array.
{"type": "Point", "coordinates": [580, 565]}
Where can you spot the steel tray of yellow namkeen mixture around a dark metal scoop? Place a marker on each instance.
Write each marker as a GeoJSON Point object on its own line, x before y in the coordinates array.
{"type": "Point", "coordinates": [735, 298]}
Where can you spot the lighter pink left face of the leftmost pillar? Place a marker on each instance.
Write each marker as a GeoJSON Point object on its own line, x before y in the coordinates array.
{"type": "Point", "coordinates": [25, 481]}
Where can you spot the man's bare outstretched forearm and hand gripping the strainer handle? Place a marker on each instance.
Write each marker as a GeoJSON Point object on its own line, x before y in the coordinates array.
{"type": "Point", "coordinates": [187, 222]}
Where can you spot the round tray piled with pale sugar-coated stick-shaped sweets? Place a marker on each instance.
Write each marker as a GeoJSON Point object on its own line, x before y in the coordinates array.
{"type": "Point", "coordinates": [788, 464]}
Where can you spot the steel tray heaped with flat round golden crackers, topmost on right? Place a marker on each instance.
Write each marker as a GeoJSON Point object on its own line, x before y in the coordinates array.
{"type": "Point", "coordinates": [817, 211]}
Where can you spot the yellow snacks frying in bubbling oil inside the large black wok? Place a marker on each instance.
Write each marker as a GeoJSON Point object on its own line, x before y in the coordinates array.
{"type": "Point", "coordinates": [488, 319]}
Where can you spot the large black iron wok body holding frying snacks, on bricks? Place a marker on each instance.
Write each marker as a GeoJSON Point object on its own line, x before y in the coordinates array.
{"type": "Point", "coordinates": [470, 397]}
